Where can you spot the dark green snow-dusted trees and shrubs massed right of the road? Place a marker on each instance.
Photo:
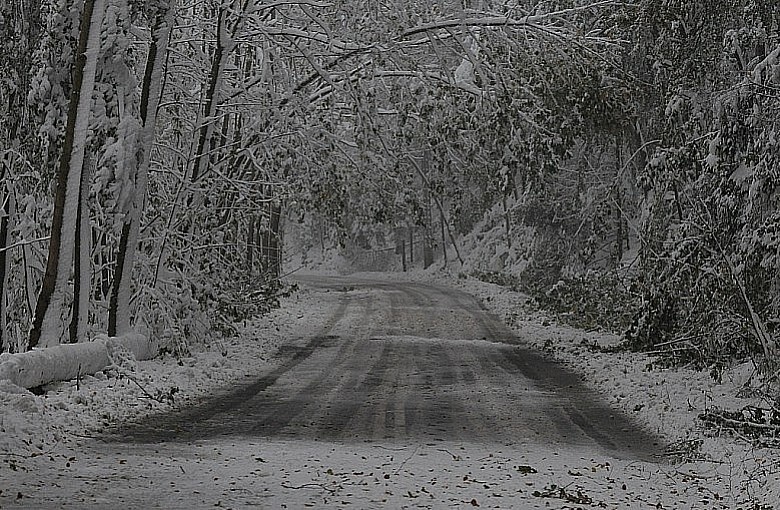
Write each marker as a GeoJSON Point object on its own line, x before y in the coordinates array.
{"type": "Point", "coordinates": [653, 165]}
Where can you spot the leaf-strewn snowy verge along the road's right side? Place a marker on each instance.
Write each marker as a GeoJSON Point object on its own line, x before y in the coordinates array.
{"type": "Point", "coordinates": [716, 469]}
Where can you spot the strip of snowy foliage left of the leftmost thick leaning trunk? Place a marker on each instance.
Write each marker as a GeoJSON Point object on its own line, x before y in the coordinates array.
{"type": "Point", "coordinates": [25, 89]}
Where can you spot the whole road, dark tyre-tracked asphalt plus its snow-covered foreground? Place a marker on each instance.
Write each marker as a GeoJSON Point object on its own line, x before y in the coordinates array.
{"type": "Point", "coordinates": [404, 395]}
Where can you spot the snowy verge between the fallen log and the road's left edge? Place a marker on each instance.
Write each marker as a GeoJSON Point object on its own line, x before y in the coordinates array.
{"type": "Point", "coordinates": [34, 425]}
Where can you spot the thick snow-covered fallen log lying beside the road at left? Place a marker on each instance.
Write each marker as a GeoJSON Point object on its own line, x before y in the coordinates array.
{"type": "Point", "coordinates": [70, 361]}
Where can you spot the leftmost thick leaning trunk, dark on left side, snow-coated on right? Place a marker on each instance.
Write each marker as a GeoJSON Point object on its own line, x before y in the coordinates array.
{"type": "Point", "coordinates": [49, 321]}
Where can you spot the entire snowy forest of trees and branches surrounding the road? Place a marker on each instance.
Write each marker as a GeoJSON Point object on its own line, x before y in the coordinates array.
{"type": "Point", "coordinates": [621, 156]}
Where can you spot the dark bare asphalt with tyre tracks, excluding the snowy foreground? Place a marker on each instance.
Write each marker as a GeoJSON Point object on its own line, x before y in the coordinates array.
{"type": "Point", "coordinates": [405, 361]}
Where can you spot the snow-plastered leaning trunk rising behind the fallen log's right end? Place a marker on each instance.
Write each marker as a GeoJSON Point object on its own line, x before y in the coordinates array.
{"type": "Point", "coordinates": [119, 303]}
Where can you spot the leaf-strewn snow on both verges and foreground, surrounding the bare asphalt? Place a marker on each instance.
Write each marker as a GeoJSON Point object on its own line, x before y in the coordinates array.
{"type": "Point", "coordinates": [49, 458]}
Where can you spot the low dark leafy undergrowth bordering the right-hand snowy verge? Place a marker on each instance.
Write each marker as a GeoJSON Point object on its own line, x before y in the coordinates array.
{"type": "Point", "coordinates": [679, 332]}
